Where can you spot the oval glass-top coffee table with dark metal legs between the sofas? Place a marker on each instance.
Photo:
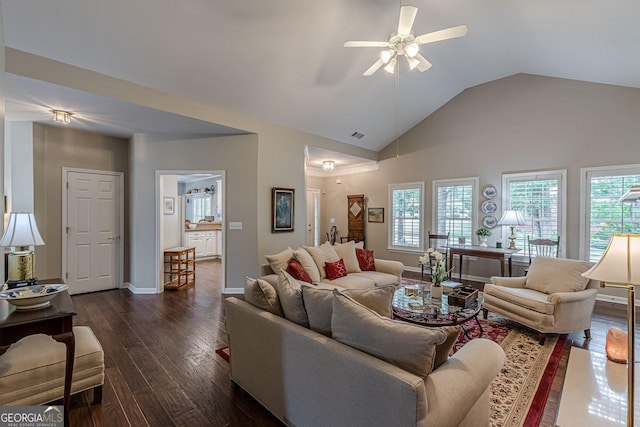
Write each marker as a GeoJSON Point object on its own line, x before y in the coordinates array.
{"type": "Point", "coordinates": [409, 306]}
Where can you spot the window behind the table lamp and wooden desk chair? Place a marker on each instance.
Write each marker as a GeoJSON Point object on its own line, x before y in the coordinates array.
{"type": "Point", "coordinates": [541, 199]}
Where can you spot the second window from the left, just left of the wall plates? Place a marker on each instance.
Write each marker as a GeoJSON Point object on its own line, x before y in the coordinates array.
{"type": "Point", "coordinates": [454, 208]}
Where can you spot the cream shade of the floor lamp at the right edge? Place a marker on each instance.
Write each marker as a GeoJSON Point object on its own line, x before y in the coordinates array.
{"type": "Point", "coordinates": [620, 262]}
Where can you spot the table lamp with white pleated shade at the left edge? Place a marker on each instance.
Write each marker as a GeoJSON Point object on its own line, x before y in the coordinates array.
{"type": "Point", "coordinates": [21, 233]}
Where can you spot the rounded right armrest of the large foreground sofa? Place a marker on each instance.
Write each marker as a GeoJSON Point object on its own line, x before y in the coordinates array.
{"type": "Point", "coordinates": [456, 386]}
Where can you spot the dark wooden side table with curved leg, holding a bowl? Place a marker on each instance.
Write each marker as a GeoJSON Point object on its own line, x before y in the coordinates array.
{"type": "Point", "coordinates": [55, 320]}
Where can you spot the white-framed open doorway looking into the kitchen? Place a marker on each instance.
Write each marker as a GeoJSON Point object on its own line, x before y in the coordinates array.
{"type": "Point", "coordinates": [198, 198]}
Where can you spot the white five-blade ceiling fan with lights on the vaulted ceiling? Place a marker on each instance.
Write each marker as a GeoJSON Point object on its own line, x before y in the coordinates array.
{"type": "Point", "coordinates": [403, 42]}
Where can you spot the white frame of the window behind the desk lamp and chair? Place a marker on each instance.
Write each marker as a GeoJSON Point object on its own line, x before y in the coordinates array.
{"type": "Point", "coordinates": [561, 175]}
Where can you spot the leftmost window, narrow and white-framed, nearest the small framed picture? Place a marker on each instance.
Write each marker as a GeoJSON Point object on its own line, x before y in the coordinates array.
{"type": "Point", "coordinates": [406, 202]}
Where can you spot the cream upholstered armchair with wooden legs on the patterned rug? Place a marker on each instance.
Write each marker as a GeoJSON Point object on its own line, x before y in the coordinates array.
{"type": "Point", "coordinates": [552, 298]}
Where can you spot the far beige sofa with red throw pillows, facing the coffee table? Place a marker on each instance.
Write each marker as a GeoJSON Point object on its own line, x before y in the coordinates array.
{"type": "Point", "coordinates": [313, 259]}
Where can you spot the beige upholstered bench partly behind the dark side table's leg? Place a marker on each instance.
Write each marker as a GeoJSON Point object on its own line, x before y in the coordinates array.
{"type": "Point", "coordinates": [32, 370]}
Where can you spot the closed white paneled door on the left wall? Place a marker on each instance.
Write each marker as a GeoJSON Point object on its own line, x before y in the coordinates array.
{"type": "Point", "coordinates": [92, 230]}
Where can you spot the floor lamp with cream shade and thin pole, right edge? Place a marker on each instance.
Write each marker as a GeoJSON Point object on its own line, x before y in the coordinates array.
{"type": "Point", "coordinates": [619, 268]}
